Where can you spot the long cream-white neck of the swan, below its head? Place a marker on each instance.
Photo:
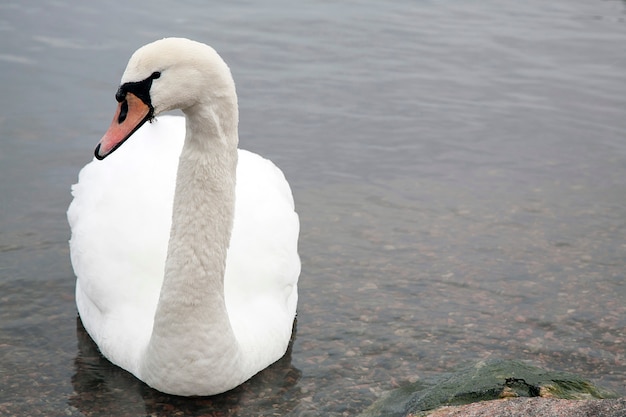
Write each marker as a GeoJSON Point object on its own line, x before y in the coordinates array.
{"type": "Point", "coordinates": [191, 312]}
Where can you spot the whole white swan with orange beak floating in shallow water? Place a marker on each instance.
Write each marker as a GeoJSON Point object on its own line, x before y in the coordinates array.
{"type": "Point", "coordinates": [184, 247]}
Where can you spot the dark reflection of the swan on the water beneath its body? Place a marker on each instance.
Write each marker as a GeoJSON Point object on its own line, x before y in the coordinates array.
{"type": "Point", "coordinates": [101, 388]}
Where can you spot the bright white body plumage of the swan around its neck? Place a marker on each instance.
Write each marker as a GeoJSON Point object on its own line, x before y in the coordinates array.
{"type": "Point", "coordinates": [120, 219]}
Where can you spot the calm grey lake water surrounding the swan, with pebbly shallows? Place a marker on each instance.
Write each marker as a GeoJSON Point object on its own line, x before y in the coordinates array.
{"type": "Point", "coordinates": [459, 168]}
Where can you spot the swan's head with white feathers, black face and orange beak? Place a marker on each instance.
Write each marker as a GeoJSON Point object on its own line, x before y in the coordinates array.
{"type": "Point", "coordinates": [168, 74]}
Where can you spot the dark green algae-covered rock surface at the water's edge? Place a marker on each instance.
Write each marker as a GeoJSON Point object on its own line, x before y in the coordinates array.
{"type": "Point", "coordinates": [486, 380]}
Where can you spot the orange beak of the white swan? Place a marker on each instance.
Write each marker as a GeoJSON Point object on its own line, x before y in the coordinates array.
{"type": "Point", "coordinates": [131, 114]}
